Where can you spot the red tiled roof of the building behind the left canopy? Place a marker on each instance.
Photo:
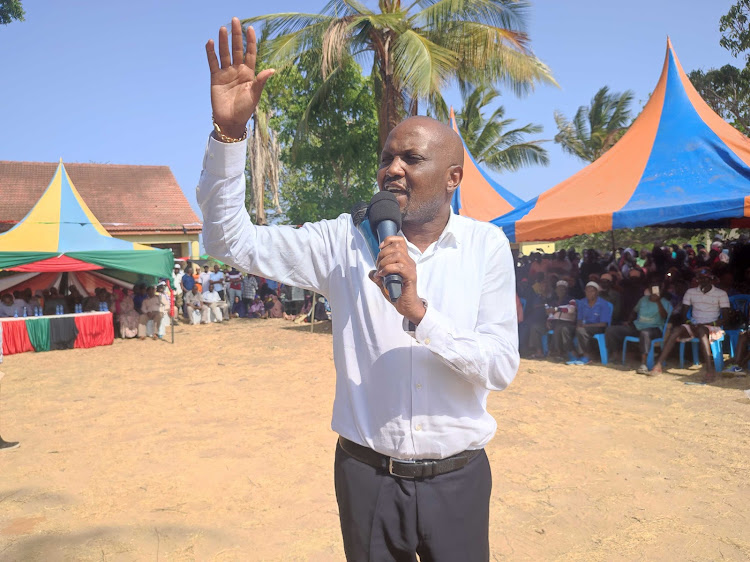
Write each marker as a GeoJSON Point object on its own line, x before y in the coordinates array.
{"type": "Point", "coordinates": [126, 199]}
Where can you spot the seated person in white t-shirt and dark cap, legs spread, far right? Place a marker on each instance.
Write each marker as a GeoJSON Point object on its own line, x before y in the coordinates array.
{"type": "Point", "coordinates": [710, 308]}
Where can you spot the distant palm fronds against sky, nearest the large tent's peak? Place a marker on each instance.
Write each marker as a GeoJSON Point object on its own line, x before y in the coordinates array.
{"type": "Point", "coordinates": [596, 128]}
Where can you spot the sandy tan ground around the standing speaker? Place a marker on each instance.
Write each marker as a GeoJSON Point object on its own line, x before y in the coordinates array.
{"type": "Point", "coordinates": [219, 448]}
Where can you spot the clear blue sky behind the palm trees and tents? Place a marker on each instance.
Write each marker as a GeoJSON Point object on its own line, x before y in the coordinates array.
{"type": "Point", "coordinates": [127, 82]}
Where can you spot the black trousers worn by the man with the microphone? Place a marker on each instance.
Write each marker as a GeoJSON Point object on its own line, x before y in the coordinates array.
{"type": "Point", "coordinates": [387, 518]}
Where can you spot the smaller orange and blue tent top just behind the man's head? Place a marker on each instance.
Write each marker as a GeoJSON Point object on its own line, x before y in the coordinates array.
{"type": "Point", "coordinates": [479, 196]}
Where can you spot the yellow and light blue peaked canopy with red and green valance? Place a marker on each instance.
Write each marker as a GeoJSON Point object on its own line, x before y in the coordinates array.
{"type": "Point", "coordinates": [60, 233]}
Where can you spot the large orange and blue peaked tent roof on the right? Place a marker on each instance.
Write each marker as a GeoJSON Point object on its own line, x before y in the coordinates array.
{"type": "Point", "coordinates": [678, 164]}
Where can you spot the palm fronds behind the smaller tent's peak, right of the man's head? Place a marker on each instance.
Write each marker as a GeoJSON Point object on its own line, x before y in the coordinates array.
{"type": "Point", "coordinates": [490, 141]}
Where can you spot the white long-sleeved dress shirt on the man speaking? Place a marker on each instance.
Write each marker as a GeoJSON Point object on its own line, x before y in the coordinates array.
{"type": "Point", "coordinates": [420, 397]}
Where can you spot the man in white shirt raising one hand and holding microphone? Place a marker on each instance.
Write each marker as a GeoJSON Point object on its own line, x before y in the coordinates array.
{"type": "Point", "coordinates": [412, 377]}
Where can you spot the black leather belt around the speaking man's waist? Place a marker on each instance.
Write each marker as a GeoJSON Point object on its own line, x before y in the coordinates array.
{"type": "Point", "coordinates": [405, 468]}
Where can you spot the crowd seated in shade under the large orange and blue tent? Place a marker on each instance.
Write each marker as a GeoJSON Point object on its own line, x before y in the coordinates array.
{"type": "Point", "coordinates": [572, 306]}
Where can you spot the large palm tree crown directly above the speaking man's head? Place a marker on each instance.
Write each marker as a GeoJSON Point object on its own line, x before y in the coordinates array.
{"type": "Point", "coordinates": [415, 51]}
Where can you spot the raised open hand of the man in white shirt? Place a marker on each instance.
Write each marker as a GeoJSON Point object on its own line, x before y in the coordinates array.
{"type": "Point", "coordinates": [235, 89]}
